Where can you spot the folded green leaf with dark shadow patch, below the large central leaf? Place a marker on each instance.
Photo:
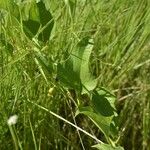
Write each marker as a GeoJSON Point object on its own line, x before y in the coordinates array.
{"type": "Point", "coordinates": [102, 113]}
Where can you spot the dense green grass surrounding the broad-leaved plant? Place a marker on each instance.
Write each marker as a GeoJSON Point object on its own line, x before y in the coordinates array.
{"type": "Point", "coordinates": [120, 59]}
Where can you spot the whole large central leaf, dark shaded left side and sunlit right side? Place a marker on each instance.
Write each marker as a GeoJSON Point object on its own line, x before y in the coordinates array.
{"type": "Point", "coordinates": [76, 69]}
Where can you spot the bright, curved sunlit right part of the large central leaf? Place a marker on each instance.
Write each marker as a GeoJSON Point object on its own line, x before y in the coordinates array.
{"type": "Point", "coordinates": [81, 59]}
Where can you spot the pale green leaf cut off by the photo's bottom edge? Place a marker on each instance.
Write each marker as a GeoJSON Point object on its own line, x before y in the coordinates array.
{"type": "Point", "coordinates": [107, 147]}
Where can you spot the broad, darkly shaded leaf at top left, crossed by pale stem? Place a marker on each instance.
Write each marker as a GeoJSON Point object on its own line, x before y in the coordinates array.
{"type": "Point", "coordinates": [35, 16]}
